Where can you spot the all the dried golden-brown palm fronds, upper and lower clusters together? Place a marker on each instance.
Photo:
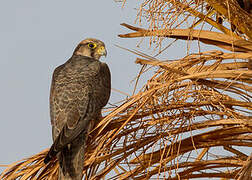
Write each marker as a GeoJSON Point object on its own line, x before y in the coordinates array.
{"type": "Point", "coordinates": [192, 118]}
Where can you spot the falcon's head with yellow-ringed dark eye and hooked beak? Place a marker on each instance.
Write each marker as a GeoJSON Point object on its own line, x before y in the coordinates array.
{"type": "Point", "coordinates": [90, 47]}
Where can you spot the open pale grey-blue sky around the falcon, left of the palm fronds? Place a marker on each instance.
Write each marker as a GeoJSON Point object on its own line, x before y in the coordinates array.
{"type": "Point", "coordinates": [36, 37]}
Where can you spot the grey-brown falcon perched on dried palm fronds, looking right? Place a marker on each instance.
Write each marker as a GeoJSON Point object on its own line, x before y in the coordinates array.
{"type": "Point", "coordinates": [80, 88]}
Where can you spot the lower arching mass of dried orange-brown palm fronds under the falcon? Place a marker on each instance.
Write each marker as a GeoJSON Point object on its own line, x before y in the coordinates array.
{"type": "Point", "coordinates": [173, 126]}
